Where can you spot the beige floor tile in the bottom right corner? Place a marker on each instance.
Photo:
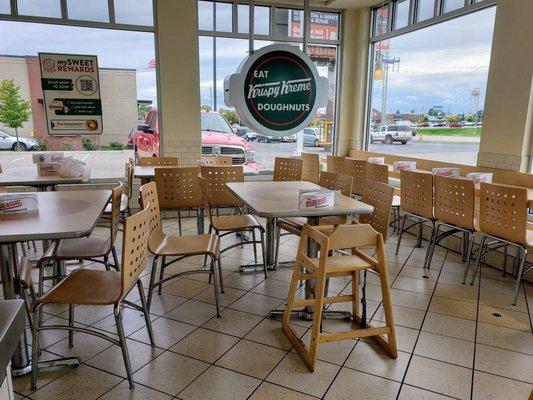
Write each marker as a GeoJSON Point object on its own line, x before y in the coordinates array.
{"type": "Point", "coordinates": [492, 387]}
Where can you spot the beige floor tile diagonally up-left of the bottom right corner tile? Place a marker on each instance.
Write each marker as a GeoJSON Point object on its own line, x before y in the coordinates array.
{"type": "Point", "coordinates": [443, 348]}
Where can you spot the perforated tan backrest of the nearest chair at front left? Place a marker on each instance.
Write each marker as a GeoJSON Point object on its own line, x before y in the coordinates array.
{"type": "Point", "coordinates": [134, 247]}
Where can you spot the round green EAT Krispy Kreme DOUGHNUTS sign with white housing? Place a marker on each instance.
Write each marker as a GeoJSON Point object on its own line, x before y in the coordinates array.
{"type": "Point", "coordinates": [276, 91]}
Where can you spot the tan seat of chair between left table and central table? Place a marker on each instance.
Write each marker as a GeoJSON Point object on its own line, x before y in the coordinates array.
{"type": "Point", "coordinates": [169, 245]}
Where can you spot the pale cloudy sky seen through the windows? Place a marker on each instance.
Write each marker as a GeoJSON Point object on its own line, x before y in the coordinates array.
{"type": "Point", "coordinates": [439, 65]}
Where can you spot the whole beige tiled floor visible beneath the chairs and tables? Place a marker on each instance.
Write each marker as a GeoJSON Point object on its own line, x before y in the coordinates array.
{"type": "Point", "coordinates": [455, 341]}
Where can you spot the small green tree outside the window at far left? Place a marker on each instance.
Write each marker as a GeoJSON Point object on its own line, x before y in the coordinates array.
{"type": "Point", "coordinates": [14, 111]}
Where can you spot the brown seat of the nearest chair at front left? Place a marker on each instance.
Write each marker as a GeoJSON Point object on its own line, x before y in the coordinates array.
{"type": "Point", "coordinates": [85, 287]}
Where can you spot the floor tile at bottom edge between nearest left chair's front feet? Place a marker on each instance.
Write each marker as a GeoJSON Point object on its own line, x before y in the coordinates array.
{"type": "Point", "coordinates": [82, 383]}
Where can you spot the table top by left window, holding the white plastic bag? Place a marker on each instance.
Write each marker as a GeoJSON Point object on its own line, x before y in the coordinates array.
{"type": "Point", "coordinates": [28, 176]}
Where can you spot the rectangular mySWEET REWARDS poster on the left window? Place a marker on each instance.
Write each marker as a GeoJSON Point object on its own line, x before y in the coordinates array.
{"type": "Point", "coordinates": [71, 89]}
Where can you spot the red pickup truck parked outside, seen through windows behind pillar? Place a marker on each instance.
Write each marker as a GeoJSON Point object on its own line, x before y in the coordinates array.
{"type": "Point", "coordinates": [218, 139]}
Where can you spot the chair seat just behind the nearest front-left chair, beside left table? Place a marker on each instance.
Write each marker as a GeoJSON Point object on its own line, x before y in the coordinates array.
{"type": "Point", "coordinates": [79, 248]}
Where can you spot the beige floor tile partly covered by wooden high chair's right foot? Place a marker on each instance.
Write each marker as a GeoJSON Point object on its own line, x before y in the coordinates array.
{"type": "Point", "coordinates": [368, 357]}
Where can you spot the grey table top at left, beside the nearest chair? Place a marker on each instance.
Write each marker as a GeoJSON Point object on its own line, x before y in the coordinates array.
{"type": "Point", "coordinates": [61, 215]}
